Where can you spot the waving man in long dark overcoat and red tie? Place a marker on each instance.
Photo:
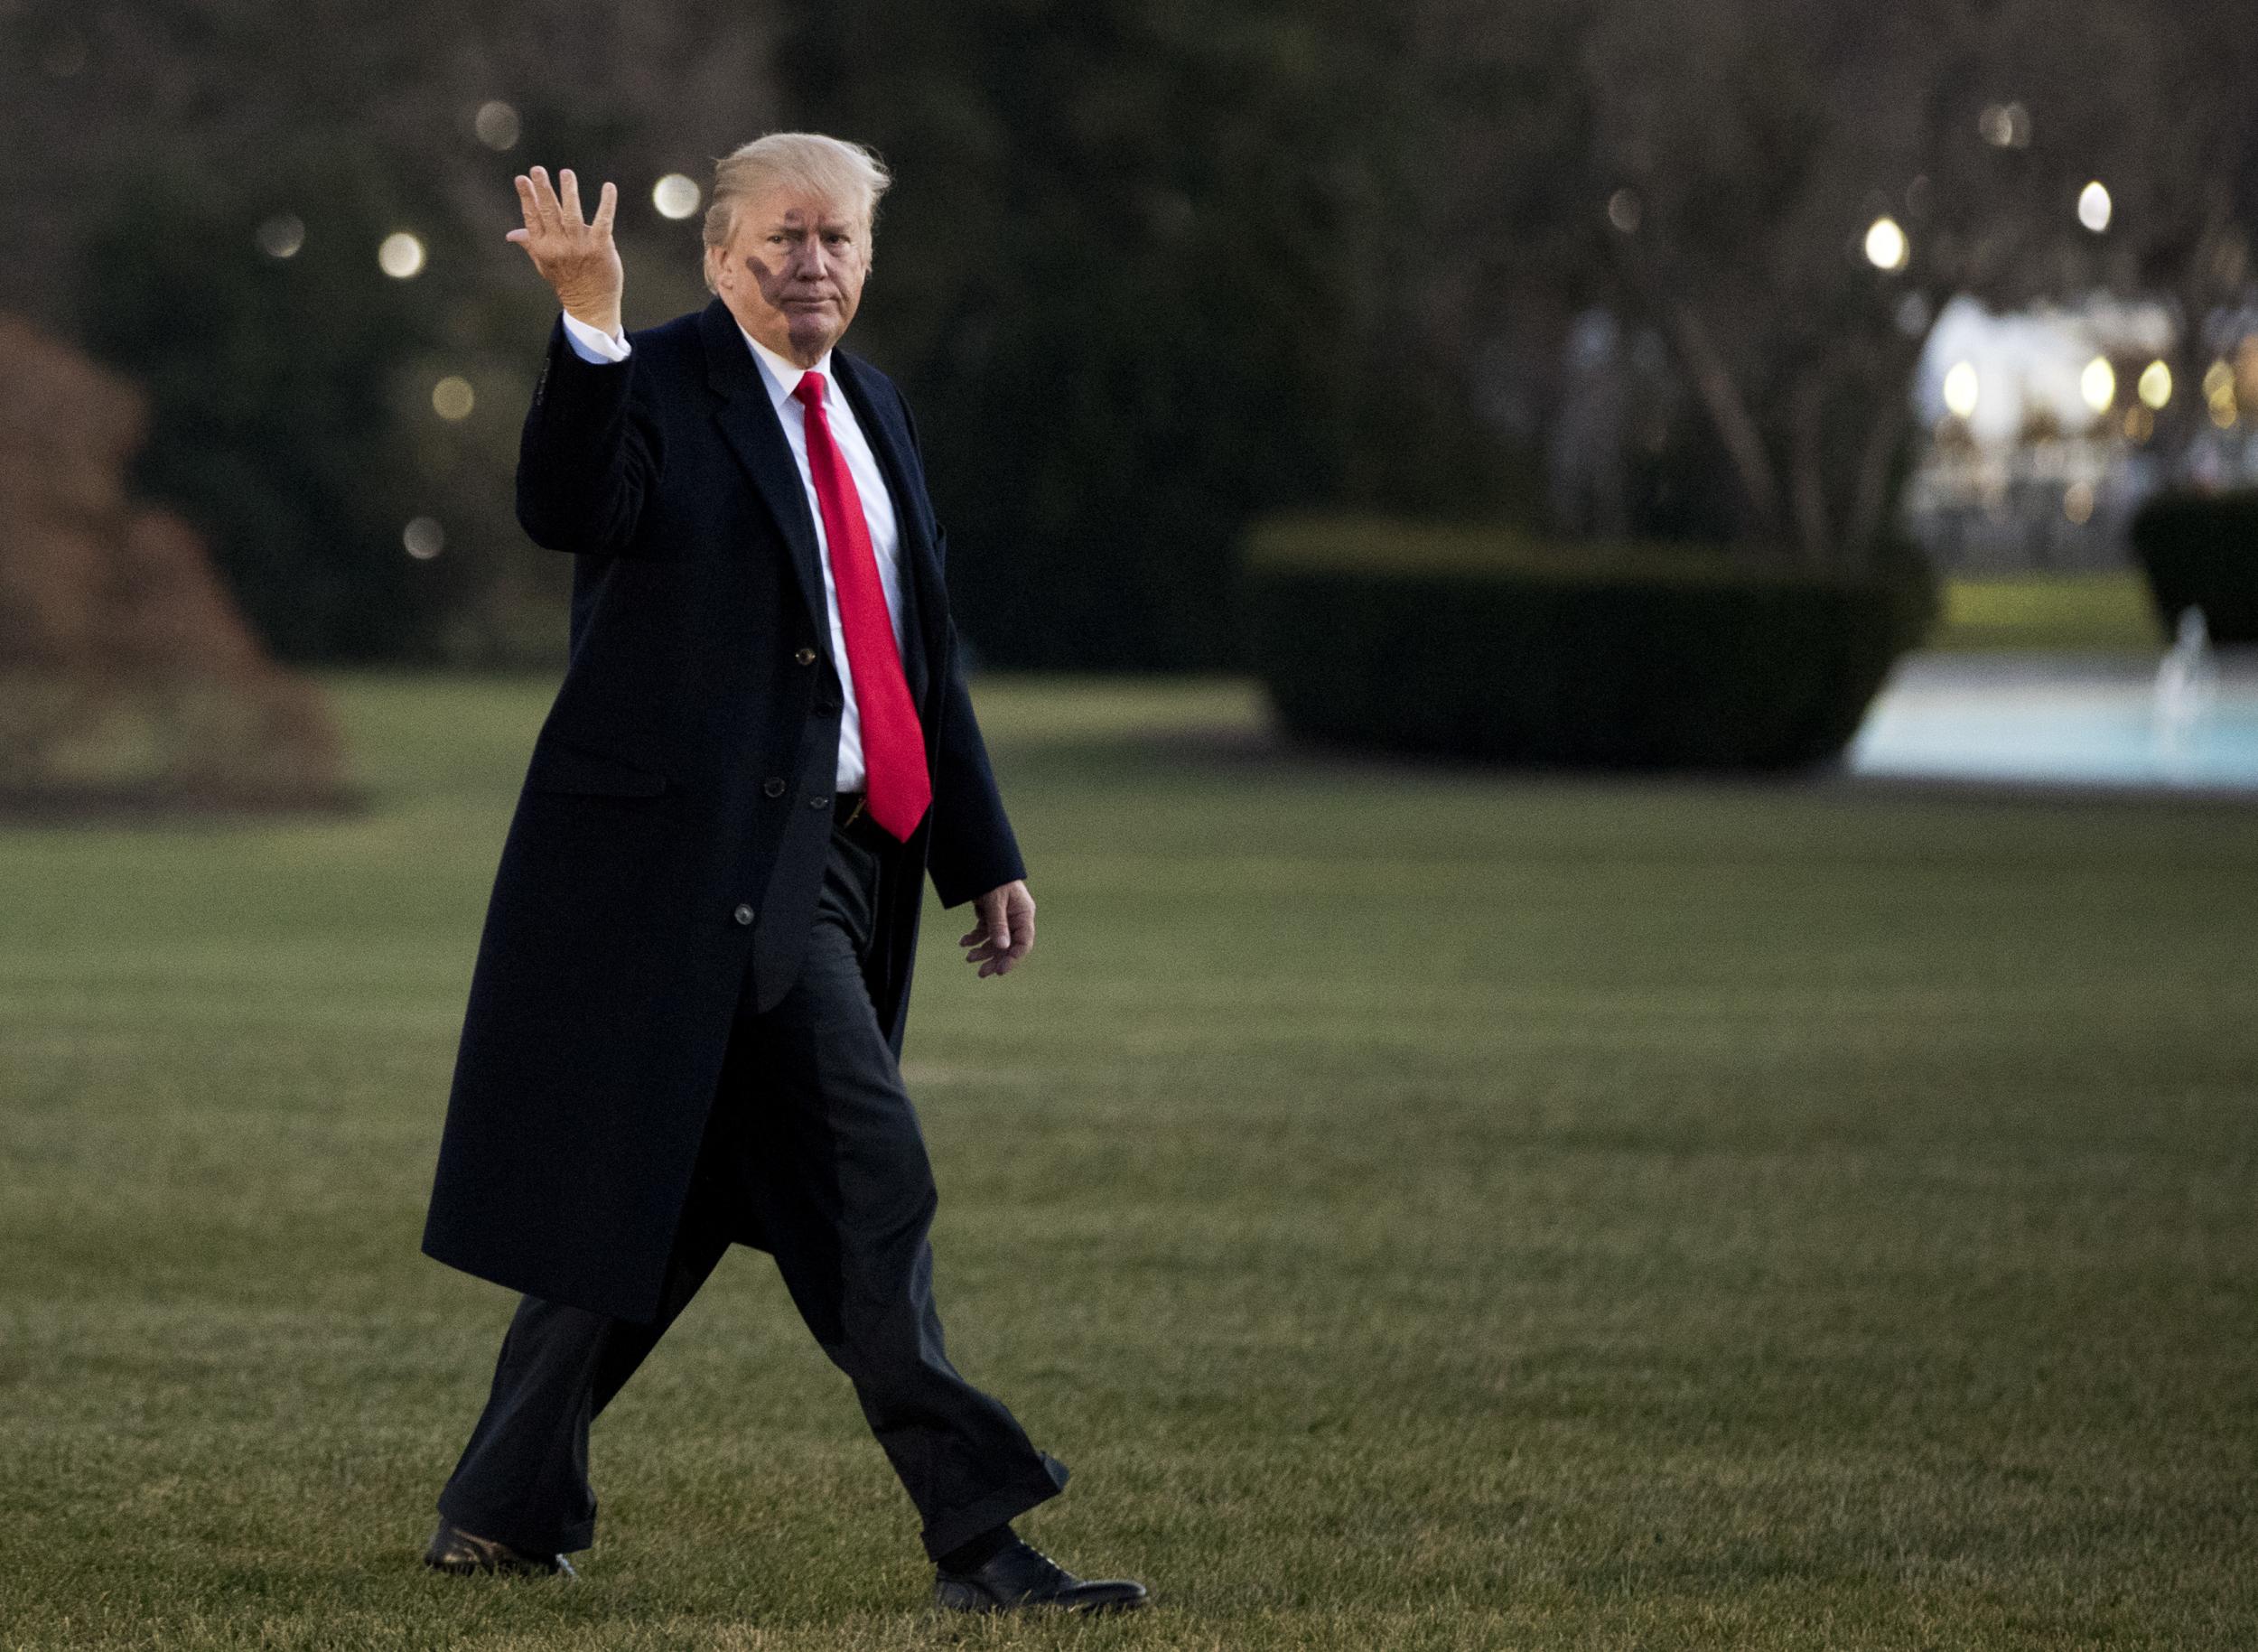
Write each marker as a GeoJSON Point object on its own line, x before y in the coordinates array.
{"type": "Point", "coordinates": [688, 1010]}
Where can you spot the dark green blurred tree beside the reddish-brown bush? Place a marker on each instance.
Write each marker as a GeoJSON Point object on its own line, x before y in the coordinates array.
{"type": "Point", "coordinates": [277, 428]}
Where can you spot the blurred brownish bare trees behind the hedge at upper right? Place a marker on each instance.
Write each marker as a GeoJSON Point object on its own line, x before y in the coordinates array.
{"type": "Point", "coordinates": [1785, 195]}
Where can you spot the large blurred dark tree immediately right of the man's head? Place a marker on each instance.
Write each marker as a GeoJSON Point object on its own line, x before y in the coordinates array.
{"type": "Point", "coordinates": [1150, 272]}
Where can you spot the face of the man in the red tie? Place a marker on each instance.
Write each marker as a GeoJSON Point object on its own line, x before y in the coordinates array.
{"type": "Point", "coordinates": [794, 272]}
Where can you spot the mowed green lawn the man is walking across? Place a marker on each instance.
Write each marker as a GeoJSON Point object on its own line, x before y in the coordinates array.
{"type": "Point", "coordinates": [1426, 1209]}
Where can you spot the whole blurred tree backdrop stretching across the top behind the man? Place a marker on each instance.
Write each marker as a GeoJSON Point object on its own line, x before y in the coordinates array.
{"type": "Point", "coordinates": [1153, 272]}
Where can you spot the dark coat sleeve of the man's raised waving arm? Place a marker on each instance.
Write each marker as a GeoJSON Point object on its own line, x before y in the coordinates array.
{"type": "Point", "coordinates": [588, 457]}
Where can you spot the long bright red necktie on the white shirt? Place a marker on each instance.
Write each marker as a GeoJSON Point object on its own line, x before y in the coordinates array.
{"type": "Point", "coordinates": [893, 741]}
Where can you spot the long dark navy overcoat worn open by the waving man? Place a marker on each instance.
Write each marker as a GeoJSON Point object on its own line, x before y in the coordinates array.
{"type": "Point", "coordinates": [681, 782]}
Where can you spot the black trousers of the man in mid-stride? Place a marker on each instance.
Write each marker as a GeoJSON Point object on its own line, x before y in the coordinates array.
{"type": "Point", "coordinates": [814, 1136]}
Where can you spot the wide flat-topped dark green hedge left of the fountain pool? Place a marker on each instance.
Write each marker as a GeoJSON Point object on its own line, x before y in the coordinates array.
{"type": "Point", "coordinates": [1482, 642]}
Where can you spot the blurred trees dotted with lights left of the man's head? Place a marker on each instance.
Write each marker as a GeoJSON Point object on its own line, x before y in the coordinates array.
{"type": "Point", "coordinates": [175, 148]}
